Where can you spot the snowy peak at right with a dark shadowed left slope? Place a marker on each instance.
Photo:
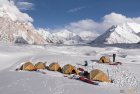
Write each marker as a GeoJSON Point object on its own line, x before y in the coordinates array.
{"type": "Point", "coordinates": [124, 33]}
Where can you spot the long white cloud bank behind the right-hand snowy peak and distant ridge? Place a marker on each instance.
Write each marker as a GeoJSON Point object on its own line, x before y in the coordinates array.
{"type": "Point", "coordinates": [89, 25]}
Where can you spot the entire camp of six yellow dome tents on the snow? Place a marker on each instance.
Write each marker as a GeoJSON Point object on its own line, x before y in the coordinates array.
{"type": "Point", "coordinates": [95, 75]}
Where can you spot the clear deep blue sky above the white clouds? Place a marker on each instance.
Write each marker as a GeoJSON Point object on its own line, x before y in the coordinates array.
{"type": "Point", "coordinates": [57, 13]}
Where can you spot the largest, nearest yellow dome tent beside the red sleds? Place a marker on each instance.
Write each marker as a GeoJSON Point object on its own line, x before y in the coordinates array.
{"type": "Point", "coordinates": [98, 75]}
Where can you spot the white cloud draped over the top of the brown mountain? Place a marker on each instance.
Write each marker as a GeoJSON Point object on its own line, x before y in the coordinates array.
{"type": "Point", "coordinates": [8, 7]}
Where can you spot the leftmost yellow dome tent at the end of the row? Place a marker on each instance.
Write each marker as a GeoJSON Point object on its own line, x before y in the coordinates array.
{"type": "Point", "coordinates": [28, 66]}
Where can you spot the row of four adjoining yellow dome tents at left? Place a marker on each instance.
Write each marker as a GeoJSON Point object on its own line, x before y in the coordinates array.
{"type": "Point", "coordinates": [66, 69]}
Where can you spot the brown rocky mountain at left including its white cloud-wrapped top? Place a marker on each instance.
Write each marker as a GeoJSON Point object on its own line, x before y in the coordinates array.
{"type": "Point", "coordinates": [14, 29]}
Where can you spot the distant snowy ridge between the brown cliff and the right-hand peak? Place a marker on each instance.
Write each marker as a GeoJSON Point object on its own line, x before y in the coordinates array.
{"type": "Point", "coordinates": [67, 37]}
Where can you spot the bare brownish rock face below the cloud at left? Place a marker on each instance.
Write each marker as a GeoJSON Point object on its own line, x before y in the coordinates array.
{"type": "Point", "coordinates": [18, 32]}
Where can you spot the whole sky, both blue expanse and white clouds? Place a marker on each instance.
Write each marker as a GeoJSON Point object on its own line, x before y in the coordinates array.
{"type": "Point", "coordinates": [74, 15]}
